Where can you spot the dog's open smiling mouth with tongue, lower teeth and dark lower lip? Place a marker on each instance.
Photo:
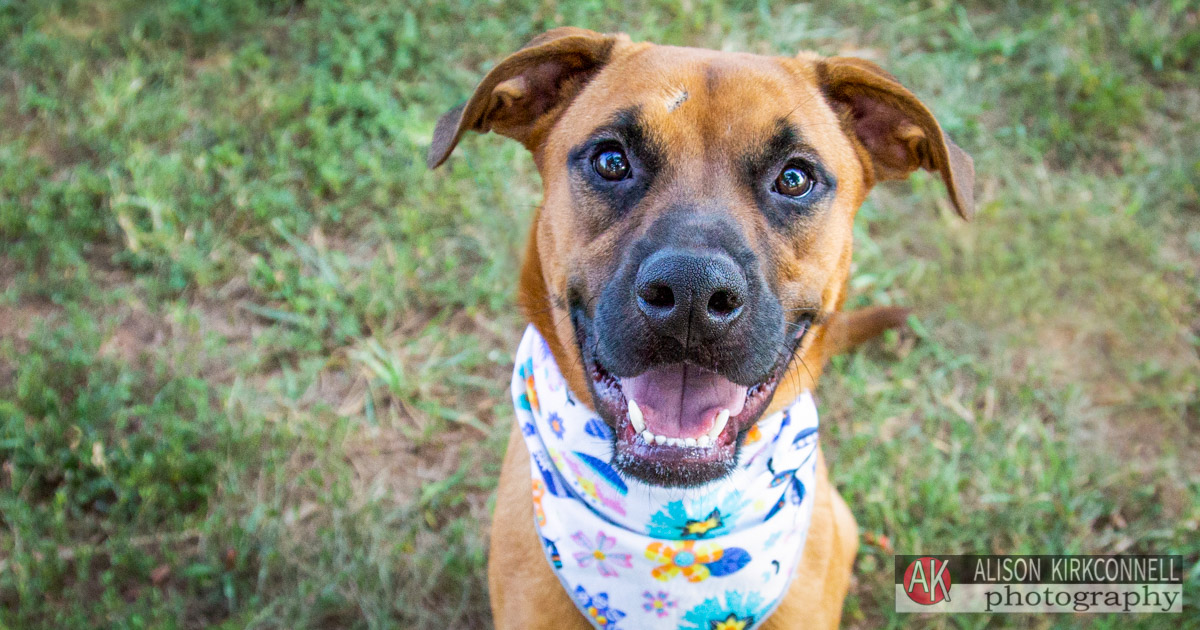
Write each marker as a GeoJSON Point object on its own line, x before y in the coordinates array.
{"type": "Point", "coordinates": [680, 424]}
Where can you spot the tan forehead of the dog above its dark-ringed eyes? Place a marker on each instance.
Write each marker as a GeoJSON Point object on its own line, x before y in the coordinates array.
{"type": "Point", "coordinates": [692, 97]}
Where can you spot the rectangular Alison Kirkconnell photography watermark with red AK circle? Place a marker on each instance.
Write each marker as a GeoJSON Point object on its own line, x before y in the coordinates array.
{"type": "Point", "coordinates": [1040, 584]}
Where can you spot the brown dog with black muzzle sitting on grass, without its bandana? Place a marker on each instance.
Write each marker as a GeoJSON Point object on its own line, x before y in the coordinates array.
{"type": "Point", "coordinates": [698, 217]}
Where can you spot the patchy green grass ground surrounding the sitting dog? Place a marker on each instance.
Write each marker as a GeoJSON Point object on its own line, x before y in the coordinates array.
{"type": "Point", "coordinates": [254, 356]}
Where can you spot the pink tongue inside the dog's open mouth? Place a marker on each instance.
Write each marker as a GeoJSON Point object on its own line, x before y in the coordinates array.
{"type": "Point", "coordinates": [682, 401]}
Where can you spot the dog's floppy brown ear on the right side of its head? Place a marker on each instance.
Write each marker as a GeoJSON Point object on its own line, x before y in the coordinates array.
{"type": "Point", "coordinates": [896, 128]}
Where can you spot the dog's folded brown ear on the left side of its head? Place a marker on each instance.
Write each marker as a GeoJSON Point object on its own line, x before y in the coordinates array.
{"type": "Point", "coordinates": [524, 95]}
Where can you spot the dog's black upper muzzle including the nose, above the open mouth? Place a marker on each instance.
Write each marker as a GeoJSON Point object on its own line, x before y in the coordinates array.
{"type": "Point", "coordinates": [689, 290]}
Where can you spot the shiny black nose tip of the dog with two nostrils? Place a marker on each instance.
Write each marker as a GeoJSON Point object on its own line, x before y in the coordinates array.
{"type": "Point", "coordinates": [691, 296]}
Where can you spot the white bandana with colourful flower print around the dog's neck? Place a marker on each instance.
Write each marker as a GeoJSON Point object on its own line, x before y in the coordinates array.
{"type": "Point", "coordinates": [637, 556]}
